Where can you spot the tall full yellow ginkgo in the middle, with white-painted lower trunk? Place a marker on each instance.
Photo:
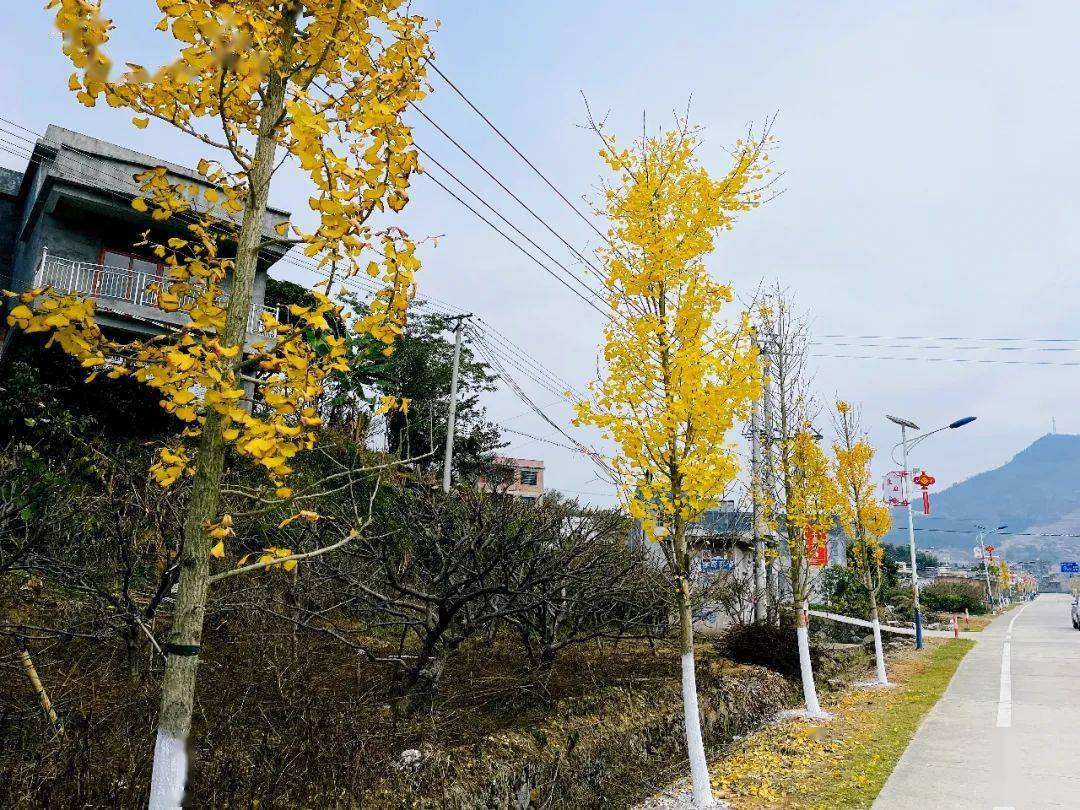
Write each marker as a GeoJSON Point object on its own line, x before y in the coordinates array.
{"type": "Point", "coordinates": [677, 377]}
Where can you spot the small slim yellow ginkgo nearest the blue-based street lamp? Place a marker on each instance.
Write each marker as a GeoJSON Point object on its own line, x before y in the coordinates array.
{"type": "Point", "coordinates": [866, 520]}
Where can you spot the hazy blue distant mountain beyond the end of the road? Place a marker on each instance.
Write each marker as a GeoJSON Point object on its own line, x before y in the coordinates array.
{"type": "Point", "coordinates": [1038, 492]}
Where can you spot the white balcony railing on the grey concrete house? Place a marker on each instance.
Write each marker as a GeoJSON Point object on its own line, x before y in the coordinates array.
{"type": "Point", "coordinates": [109, 285]}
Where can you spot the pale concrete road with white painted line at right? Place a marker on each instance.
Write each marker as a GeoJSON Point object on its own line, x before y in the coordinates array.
{"type": "Point", "coordinates": [1007, 732]}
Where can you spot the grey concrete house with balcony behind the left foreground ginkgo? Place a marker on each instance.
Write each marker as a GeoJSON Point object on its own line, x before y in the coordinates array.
{"type": "Point", "coordinates": [67, 222]}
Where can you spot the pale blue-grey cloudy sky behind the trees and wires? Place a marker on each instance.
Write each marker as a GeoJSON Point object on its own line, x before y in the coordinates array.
{"type": "Point", "coordinates": [930, 172]}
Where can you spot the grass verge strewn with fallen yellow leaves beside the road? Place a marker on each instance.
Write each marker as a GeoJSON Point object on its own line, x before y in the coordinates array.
{"type": "Point", "coordinates": [846, 762]}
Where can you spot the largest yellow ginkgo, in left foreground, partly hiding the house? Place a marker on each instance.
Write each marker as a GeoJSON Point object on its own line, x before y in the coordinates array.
{"type": "Point", "coordinates": [323, 84]}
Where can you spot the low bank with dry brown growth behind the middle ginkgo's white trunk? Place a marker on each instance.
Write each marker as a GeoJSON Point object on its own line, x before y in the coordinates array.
{"type": "Point", "coordinates": [609, 750]}
